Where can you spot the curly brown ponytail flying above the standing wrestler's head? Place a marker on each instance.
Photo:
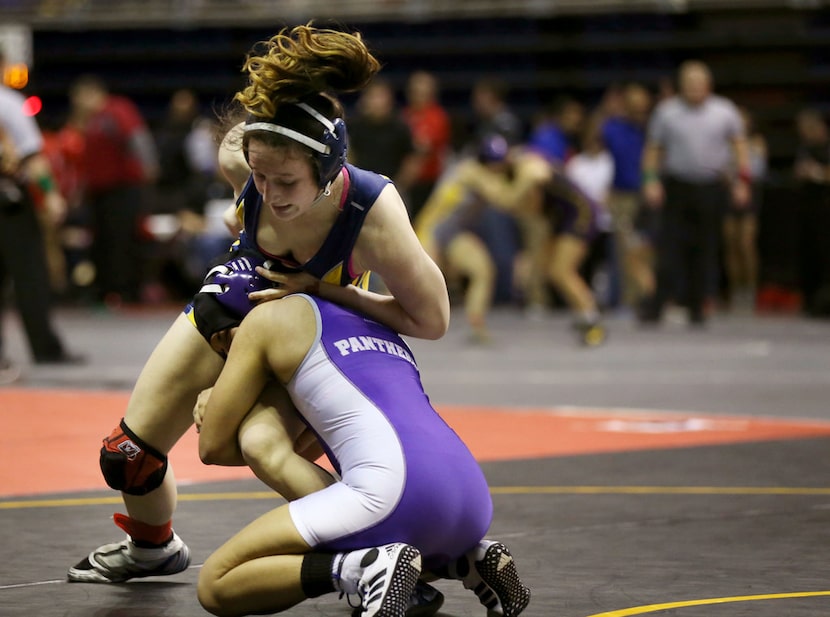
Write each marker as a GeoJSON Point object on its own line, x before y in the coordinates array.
{"type": "Point", "coordinates": [301, 63]}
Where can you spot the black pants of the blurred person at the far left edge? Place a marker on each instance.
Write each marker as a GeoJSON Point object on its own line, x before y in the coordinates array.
{"type": "Point", "coordinates": [23, 263]}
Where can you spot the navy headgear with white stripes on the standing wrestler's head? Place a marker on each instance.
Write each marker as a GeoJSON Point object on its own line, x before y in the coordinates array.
{"type": "Point", "coordinates": [329, 146]}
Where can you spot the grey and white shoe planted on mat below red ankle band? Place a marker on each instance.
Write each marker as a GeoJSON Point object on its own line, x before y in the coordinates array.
{"type": "Point", "coordinates": [116, 563]}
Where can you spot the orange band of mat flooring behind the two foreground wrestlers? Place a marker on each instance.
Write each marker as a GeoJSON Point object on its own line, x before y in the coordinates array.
{"type": "Point", "coordinates": [49, 439]}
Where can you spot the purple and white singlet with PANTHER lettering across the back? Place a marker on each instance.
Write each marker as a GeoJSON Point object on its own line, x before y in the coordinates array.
{"type": "Point", "coordinates": [360, 391]}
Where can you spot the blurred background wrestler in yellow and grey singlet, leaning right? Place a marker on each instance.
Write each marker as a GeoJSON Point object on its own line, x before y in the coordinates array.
{"type": "Point", "coordinates": [453, 228]}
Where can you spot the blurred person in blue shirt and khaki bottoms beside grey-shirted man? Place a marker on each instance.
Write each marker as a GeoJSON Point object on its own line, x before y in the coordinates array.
{"type": "Point", "coordinates": [624, 135]}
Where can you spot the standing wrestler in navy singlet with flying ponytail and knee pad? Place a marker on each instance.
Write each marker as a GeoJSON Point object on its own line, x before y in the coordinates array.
{"type": "Point", "coordinates": [324, 225]}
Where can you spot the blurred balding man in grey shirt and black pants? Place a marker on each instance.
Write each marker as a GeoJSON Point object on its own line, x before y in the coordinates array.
{"type": "Point", "coordinates": [695, 141]}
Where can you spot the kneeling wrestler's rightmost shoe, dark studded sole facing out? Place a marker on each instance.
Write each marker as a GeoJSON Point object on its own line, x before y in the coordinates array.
{"type": "Point", "coordinates": [491, 574]}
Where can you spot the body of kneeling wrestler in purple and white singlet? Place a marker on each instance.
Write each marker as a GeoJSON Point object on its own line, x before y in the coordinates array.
{"type": "Point", "coordinates": [395, 508]}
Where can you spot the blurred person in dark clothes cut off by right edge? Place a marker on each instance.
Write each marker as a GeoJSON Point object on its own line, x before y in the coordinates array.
{"type": "Point", "coordinates": [812, 172]}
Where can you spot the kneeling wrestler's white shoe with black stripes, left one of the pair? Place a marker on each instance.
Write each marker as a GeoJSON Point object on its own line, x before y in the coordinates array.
{"type": "Point", "coordinates": [388, 579]}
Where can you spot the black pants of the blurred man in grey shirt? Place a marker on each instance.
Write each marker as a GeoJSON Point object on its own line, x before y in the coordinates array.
{"type": "Point", "coordinates": [687, 244]}
